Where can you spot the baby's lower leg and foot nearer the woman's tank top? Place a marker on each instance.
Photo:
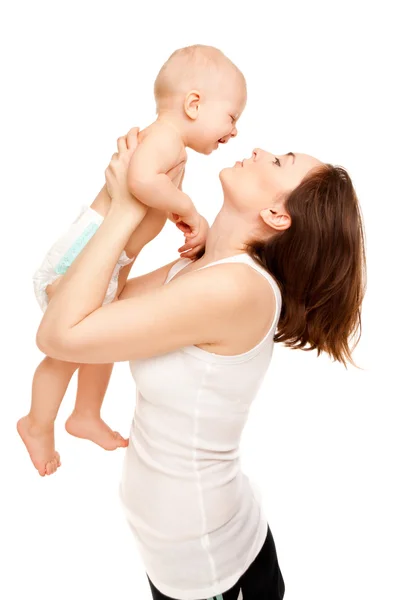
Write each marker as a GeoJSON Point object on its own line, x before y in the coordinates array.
{"type": "Point", "coordinates": [85, 422]}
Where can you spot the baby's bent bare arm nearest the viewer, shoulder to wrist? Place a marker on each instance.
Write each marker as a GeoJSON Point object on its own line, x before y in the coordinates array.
{"type": "Point", "coordinates": [155, 156]}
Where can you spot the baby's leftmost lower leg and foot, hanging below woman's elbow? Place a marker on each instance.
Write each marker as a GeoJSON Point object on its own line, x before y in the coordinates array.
{"type": "Point", "coordinates": [36, 429]}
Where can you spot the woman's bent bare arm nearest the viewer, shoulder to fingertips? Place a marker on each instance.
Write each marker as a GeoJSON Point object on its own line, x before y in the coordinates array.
{"type": "Point", "coordinates": [77, 328]}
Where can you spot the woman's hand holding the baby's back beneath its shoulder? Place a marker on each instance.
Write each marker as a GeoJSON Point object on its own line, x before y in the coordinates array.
{"type": "Point", "coordinates": [117, 171]}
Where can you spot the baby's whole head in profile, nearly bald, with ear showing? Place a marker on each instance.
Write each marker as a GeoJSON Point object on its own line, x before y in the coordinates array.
{"type": "Point", "coordinates": [205, 92]}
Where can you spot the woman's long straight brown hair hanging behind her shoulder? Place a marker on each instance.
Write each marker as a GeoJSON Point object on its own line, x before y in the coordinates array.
{"type": "Point", "coordinates": [319, 265]}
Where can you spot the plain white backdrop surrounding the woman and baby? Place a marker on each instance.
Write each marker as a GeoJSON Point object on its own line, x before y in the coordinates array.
{"type": "Point", "coordinates": [321, 442]}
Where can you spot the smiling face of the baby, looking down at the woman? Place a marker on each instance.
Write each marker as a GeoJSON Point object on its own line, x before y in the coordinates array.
{"type": "Point", "coordinates": [218, 117]}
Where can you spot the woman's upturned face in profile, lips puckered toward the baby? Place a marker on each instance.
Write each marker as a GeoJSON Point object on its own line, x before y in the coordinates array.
{"type": "Point", "coordinates": [264, 179]}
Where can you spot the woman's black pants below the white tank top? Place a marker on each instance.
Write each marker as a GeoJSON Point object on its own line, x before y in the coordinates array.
{"type": "Point", "coordinates": [262, 581]}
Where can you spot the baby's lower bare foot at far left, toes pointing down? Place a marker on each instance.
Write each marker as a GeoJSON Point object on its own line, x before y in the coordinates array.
{"type": "Point", "coordinates": [40, 445]}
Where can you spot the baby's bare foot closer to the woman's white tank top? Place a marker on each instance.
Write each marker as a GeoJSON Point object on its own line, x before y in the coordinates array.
{"type": "Point", "coordinates": [93, 428]}
